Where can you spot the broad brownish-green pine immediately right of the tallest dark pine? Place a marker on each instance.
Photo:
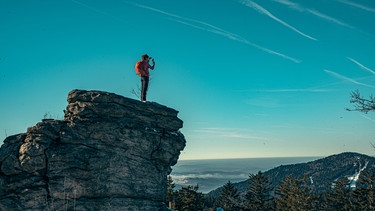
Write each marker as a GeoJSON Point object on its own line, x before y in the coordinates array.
{"type": "Point", "coordinates": [294, 194]}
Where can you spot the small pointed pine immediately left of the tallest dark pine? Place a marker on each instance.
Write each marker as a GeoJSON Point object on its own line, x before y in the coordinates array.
{"type": "Point", "coordinates": [229, 197]}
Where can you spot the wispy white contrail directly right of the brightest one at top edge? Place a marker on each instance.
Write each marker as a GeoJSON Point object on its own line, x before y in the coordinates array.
{"type": "Point", "coordinates": [300, 8]}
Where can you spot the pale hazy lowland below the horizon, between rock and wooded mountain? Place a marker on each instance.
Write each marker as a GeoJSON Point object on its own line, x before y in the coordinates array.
{"type": "Point", "coordinates": [212, 173]}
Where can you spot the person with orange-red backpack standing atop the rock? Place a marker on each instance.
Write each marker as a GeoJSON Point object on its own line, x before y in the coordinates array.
{"type": "Point", "coordinates": [141, 68]}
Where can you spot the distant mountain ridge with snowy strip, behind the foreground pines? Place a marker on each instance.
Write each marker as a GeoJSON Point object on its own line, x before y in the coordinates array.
{"type": "Point", "coordinates": [322, 172]}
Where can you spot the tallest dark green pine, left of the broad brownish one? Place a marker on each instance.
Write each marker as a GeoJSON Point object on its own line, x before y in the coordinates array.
{"type": "Point", "coordinates": [258, 197]}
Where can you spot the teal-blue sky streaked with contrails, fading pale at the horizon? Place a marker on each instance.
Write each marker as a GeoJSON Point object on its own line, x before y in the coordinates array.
{"type": "Point", "coordinates": [267, 78]}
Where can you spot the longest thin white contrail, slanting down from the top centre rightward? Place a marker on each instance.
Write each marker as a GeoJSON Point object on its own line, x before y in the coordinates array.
{"type": "Point", "coordinates": [201, 25]}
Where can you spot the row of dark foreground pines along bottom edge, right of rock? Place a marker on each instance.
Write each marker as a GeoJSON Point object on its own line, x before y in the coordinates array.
{"type": "Point", "coordinates": [292, 194]}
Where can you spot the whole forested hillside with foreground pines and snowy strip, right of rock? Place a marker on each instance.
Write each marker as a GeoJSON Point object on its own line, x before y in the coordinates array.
{"type": "Point", "coordinates": [339, 182]}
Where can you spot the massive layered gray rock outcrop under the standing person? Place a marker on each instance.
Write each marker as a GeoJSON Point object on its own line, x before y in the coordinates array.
{"type": "Point", "coordinates": [109, 153]}
